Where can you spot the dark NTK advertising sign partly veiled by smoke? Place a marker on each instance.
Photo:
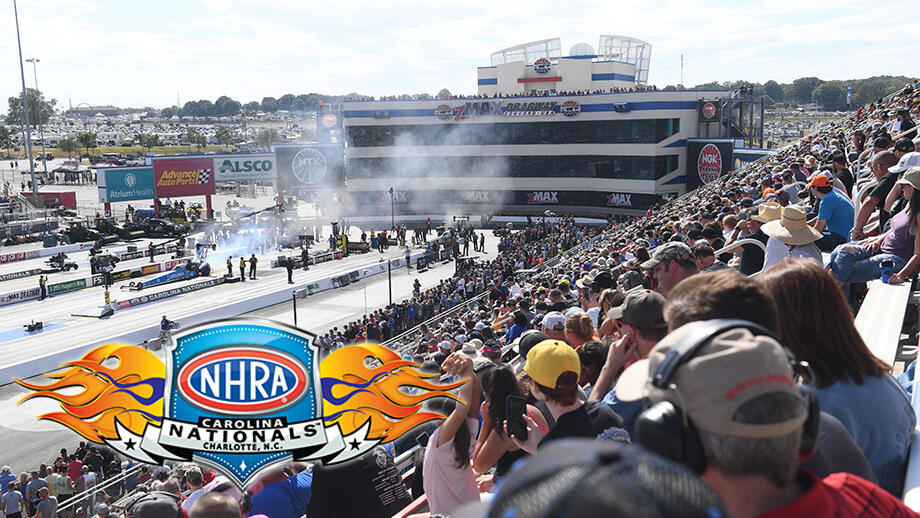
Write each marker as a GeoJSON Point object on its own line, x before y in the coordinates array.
{"type": "Point", "coordinates": [310, 167]}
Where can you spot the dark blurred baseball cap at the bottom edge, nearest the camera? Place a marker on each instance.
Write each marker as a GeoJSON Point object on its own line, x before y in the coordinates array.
{"type": "Point", "coordinates": [584, 478]}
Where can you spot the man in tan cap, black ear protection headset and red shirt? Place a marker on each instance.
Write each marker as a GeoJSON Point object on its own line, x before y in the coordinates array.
{"type": "Point", "coordinates": [725, 403]}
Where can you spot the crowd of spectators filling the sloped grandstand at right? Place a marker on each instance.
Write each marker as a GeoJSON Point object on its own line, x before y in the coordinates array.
{"type": "Point", "coordinates": [738, 367]}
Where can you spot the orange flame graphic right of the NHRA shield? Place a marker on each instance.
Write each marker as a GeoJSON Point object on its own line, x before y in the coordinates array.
{"type": "Point", "coordinates": [354, 393]}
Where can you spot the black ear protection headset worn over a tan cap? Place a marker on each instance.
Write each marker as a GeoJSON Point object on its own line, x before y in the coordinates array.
{"type": "Point", "coordinates": [665, 429]}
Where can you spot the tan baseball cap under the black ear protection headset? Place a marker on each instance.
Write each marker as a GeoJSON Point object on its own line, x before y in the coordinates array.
{"type": "Point", "coordinates": [729, 370]}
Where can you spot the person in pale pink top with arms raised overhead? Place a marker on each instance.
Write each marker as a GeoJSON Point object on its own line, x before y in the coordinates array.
{"type": "Point", "coordinates": [447, 474]}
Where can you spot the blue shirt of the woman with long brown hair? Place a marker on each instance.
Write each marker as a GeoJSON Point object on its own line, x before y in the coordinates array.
{"type": "Point", "coordinates": [880, 418]}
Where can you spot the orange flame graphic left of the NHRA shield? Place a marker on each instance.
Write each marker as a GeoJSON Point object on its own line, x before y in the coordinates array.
{"type": "Point", "coordinates": [130, 393]}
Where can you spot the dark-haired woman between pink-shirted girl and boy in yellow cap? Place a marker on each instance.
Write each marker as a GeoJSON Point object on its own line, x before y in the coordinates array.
{"type": "Point", "coordinates": [495, 447]}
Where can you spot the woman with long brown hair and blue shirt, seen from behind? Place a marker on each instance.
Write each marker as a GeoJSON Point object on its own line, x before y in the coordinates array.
{"type": "Point", "coordinates": [852, 385]}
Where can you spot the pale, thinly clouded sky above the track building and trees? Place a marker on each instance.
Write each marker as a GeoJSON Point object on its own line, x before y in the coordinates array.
{"type": "Point", "coordinates": [130, 53]}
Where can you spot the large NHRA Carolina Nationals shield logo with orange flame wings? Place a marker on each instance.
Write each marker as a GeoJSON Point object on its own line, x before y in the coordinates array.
{"type": "Point", "coordinates": [242, 396]}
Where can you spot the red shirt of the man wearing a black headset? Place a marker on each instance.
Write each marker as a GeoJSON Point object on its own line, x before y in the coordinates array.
{"type": "Point", "coordinates": [841, 495]}
